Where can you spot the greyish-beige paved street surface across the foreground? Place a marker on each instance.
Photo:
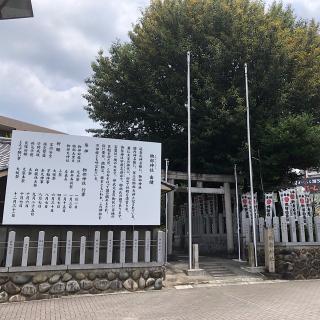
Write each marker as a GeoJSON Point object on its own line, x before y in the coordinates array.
{"type": "Point", "coordinates": [286, 300]}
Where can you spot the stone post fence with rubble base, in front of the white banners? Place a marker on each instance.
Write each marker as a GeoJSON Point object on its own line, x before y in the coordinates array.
{"type": "Point", "coordinates": [296, 244]}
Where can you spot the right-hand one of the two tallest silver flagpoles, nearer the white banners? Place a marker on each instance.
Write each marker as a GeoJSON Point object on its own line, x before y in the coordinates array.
{"type": "Point", "coordinates": [250, 168]}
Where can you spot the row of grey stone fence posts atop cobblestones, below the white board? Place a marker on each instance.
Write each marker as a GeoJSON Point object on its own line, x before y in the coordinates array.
{"type": "Point", "coordinates": [115, 251]}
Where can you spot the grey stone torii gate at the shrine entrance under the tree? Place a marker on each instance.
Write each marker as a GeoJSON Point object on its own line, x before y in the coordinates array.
{"type": "Point", "coordinates": [225, 180]}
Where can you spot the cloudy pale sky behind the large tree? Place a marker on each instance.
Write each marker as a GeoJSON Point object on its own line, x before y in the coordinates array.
{"type": "Point", "coordinates": [45, 60]}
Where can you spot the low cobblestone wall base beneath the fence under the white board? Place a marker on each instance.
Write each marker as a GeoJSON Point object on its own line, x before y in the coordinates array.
{"type": "Point", "coordinates": [44, 285]}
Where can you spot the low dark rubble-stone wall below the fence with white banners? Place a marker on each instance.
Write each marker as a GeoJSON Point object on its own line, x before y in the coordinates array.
{"type": "Point", "coordinates": [298, 262]}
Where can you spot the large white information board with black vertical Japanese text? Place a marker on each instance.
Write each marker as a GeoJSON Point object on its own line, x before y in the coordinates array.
{"type": "Point", "coordinates": [57, 179]}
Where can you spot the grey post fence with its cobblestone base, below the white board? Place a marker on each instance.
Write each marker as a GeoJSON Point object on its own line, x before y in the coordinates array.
{"type": "Point", "coordinates": [48, 268]}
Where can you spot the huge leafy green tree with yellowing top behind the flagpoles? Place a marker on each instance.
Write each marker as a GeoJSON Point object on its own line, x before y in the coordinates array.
{"type": "Point", "coordinates": [138, 91]}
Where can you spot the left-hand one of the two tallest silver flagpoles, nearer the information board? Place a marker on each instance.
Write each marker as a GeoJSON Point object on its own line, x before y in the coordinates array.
{"type": "Point", "coordinates": [189, 166]}
